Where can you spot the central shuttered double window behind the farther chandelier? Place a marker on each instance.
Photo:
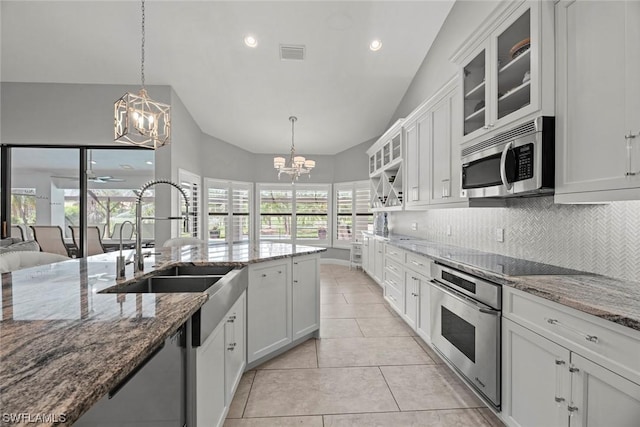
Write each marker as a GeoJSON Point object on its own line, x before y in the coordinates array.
{"type": "Point", "coordinates": [295, 213]}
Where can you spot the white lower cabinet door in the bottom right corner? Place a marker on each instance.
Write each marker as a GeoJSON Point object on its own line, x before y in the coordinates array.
{"type": "Point", "coordinates": [601, 397]}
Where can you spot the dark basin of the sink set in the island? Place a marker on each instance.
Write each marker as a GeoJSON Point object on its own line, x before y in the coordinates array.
{"type": "Point", "coordinates": [167, 284]}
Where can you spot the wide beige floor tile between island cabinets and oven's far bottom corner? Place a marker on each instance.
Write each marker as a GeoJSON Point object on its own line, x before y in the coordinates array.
{"type": "Point", "coordinates": [338, 352]}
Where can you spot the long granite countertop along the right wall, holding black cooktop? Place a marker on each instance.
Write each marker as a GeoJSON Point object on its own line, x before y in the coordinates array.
{"type": "Point", "coordinates": [611, 299]}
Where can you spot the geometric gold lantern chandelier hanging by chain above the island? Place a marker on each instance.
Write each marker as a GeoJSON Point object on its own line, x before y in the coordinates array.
{"type": "Point", "coordinates": [139, 120]}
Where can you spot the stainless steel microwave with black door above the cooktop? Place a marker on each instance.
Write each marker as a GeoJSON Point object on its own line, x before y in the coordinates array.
{"type": "Point", "coordinates": [517, 162]}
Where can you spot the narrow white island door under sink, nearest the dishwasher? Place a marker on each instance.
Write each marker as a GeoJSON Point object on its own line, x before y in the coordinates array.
{"type": "Point", "coordinates": [210, 388]}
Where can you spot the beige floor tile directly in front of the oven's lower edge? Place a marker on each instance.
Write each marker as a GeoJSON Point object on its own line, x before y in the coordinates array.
{"type": "Point", "coordinates": [428, 387]}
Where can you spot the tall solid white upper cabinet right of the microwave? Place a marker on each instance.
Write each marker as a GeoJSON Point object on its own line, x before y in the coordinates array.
{"type": "Point", "coordinates": [598, 101]}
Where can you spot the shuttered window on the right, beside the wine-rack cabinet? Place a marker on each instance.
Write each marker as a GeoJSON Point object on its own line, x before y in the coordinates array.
{"type": "Point", "coordinates": [353, 214]}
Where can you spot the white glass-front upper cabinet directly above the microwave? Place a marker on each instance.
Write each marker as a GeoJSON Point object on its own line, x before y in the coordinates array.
{"type": "Point", "coordinates": [506, 68]}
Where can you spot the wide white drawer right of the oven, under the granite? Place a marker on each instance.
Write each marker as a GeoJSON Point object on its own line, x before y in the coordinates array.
{"type": "Point", "coordinates": [611, 345]}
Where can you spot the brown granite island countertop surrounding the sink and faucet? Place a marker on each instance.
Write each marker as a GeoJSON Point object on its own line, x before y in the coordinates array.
{"type": "Point", "coordinates": [64, 345]}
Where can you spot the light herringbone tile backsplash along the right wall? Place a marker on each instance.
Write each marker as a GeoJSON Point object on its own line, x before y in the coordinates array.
{"type": "Point", "coordinates": [602, 239]}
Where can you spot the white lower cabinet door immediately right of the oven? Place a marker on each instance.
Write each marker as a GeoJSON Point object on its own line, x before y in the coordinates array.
{"type": "Point", "coordinates": [535, 378]}
